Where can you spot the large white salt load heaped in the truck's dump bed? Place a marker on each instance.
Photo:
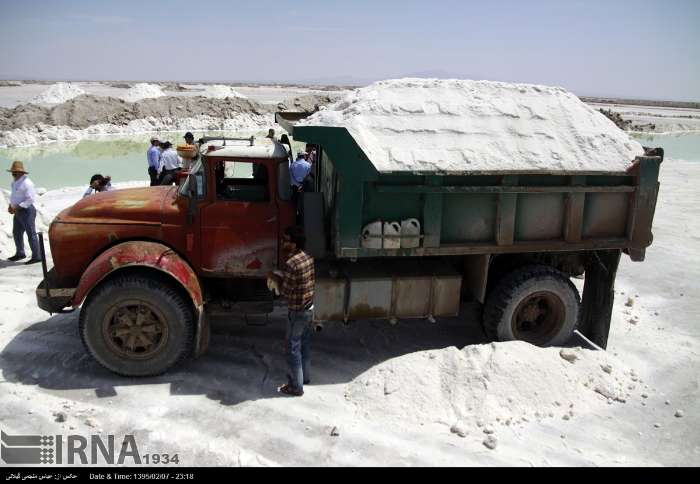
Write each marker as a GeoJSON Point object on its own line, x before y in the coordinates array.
{"type": "Point", "coordinates": [467, 126]}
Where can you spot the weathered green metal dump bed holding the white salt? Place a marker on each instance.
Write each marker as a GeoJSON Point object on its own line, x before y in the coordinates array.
{"type": "Point", "coordinates": [478, 212]}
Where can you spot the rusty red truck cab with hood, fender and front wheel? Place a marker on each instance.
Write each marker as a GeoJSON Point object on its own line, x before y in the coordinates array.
{"type": "Point", "coordinates": [143, 262]}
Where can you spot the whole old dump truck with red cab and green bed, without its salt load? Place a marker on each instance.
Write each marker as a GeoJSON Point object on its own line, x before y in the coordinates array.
{"type": "Point", "coordinates": [147, 267]}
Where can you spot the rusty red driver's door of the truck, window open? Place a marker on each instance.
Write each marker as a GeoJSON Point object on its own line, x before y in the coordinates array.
{"type": "Point", "coordinates": [239, 230]}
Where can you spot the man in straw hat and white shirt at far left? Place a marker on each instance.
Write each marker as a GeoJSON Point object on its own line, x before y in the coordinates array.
{"type": "Point", "coordinates": [22, 207]}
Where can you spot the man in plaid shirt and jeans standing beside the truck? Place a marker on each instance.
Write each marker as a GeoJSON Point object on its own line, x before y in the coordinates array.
{"type": "Point", "coordinates": [297, 286]}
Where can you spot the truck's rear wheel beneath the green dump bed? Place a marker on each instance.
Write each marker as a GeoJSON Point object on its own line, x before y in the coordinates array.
{"type": "Point", "coordinates": [535, 303]}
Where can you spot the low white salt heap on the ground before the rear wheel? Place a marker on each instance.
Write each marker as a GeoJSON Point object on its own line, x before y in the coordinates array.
{"type": "Point", "coordinates": [493, 384]}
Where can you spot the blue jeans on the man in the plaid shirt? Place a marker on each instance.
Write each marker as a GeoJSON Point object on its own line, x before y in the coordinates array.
{"type": "Point", "coordinates": [298, 348]}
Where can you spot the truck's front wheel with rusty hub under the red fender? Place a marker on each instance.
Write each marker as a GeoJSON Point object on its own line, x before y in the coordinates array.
{"type": "Point", "coordinates": [117, 305]}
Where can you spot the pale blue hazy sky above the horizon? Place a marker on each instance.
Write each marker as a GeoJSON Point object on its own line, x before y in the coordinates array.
{"type": "Point", "coordinates": [623, 48]}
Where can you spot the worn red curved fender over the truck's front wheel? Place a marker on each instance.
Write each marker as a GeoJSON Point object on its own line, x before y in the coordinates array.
{"type": "Point", "coordinates": [155, 256]}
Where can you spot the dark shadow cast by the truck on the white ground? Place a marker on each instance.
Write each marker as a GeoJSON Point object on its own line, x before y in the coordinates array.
{"type": "Point", "coordinates": [244, 362]}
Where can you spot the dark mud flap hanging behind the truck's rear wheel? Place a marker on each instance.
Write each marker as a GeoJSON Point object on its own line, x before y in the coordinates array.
{"type": "Point", "coordinates": [598, 296]}
